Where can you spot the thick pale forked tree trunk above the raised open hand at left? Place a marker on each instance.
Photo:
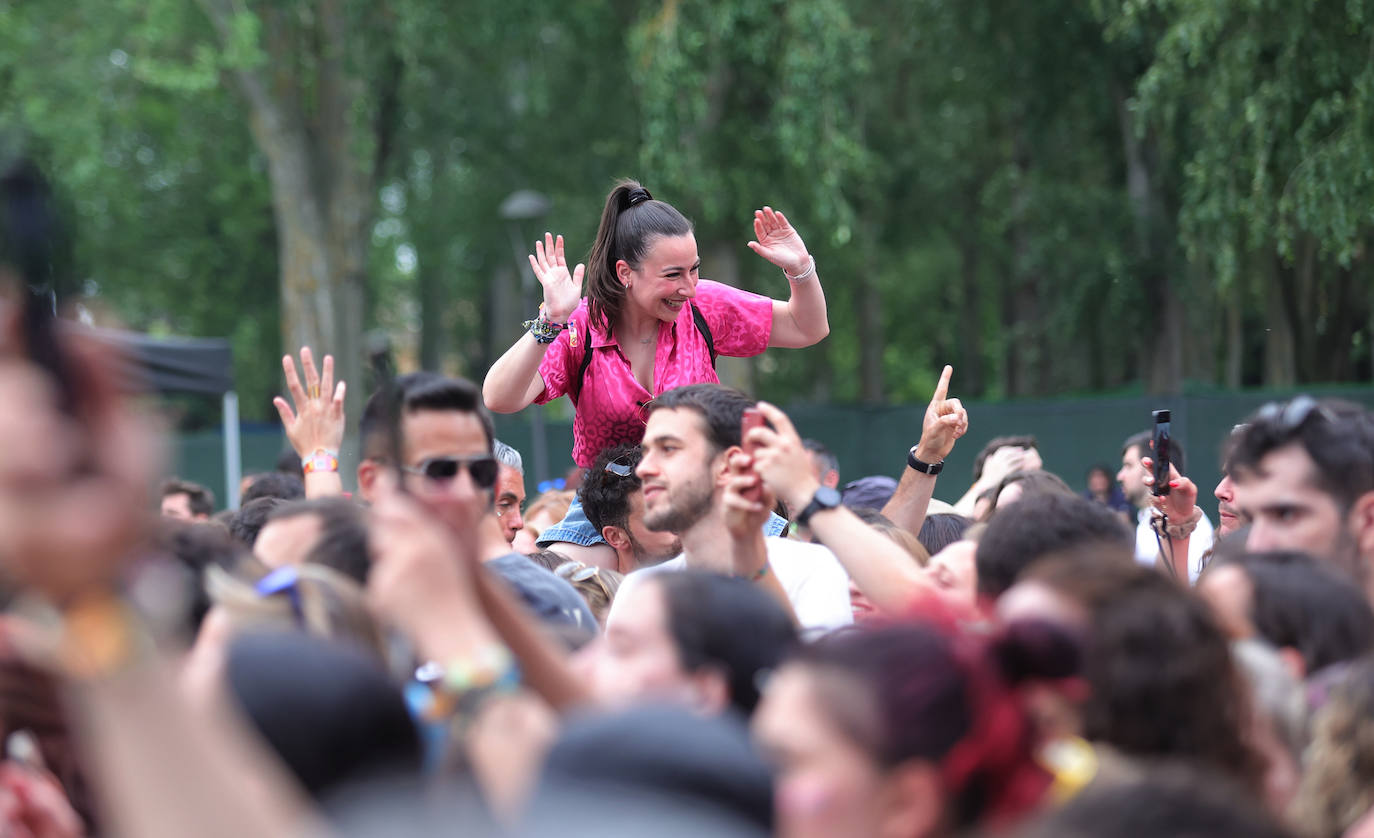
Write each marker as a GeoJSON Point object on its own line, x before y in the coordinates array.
{"type": "Point", "coordinates": [324, 183]}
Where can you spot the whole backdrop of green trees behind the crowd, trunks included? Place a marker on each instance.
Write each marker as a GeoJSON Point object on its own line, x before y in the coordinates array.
{"type": "Point", "coordinates": [1056, 197]}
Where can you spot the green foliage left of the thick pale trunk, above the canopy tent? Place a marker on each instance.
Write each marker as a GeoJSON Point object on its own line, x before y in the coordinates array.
{"type": "Point", "coordinates": [168, 201]}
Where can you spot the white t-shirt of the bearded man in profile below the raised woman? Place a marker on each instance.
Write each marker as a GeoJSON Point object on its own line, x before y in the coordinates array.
{"type": "Point", "coordinates": [817, 585]}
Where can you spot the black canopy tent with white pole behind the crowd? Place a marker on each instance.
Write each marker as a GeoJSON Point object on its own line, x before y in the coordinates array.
{"type": "Point", "coordinates": [188, 366]}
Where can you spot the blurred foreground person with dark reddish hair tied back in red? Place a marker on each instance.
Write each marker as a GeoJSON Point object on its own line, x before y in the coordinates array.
{"type": "Point", "coordinates": [902, 730]}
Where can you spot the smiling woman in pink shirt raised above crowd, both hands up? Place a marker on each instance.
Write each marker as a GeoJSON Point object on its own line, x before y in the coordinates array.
{"type": "Point", "coordinates": [649, 324]}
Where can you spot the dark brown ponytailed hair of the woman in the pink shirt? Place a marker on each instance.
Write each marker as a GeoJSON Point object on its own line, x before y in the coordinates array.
{"type": "Point", "coordinates": [630, 222]}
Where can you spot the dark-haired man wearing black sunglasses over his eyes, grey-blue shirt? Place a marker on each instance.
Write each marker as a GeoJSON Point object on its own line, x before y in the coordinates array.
{"type": "Point", "coordinates": [449, 462]}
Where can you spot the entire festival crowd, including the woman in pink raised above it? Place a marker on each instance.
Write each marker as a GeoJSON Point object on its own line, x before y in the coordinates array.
{"type": "Point", "coordinates": [714, 635]}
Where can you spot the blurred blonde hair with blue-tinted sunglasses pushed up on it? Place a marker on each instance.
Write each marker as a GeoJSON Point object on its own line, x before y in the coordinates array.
{"type": "Point", "coordinates": [318, 601]}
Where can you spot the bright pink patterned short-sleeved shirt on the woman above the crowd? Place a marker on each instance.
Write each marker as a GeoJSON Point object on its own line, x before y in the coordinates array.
{"type": "Point", "coordinates": [609, 410]}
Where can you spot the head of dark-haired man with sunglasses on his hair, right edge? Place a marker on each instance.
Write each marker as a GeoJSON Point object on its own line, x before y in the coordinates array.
{"type": "Point", "coordinates": [1305, 480]}
